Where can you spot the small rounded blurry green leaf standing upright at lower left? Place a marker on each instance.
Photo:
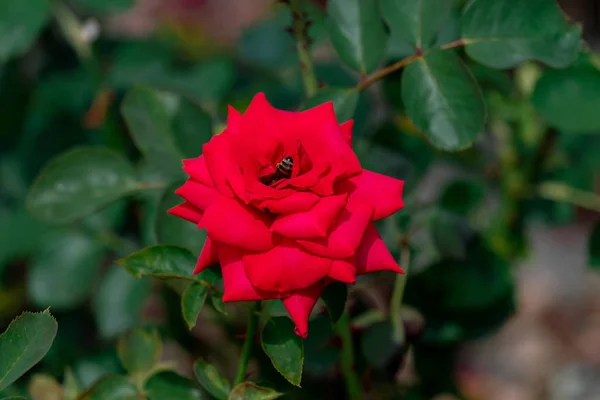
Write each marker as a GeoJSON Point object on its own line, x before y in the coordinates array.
{"type": "Point", "coordinates": [139, 350]}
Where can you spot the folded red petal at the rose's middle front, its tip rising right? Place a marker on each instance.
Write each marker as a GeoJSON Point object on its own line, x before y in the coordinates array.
{"type": "Point", "coordinates": [312, 223]}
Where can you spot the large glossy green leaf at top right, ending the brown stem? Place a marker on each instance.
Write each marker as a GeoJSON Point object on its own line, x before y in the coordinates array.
{"type": "Point", "coordinates": [504, 33]}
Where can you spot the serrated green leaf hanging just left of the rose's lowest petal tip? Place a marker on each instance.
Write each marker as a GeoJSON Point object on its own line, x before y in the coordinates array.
{"type": "Point", "coordinates": [284, 348]}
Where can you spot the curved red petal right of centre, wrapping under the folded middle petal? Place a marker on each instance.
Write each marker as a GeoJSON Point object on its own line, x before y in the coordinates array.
{"type": "Point", "coordinates": [346, 233]}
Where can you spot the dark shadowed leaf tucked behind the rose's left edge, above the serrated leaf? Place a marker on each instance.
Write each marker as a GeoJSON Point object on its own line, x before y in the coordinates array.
{"type": "Point", "coordinates": [176, 231]}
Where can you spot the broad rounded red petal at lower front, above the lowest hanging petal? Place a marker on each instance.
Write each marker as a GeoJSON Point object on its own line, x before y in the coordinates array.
{"type": "Point", "coordinates": [285, 268]}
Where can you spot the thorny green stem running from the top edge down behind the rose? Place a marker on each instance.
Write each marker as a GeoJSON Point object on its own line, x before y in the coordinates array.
{"type": "Point", "coordinates": [300, 31]}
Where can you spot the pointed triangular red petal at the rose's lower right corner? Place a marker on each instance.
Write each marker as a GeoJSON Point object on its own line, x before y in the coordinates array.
{"type": "Point", "coordinates": [373, 254]}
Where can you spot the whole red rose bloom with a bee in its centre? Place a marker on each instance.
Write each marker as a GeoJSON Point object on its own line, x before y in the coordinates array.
{"type": "Point", "coordinates": [287, 207]}
